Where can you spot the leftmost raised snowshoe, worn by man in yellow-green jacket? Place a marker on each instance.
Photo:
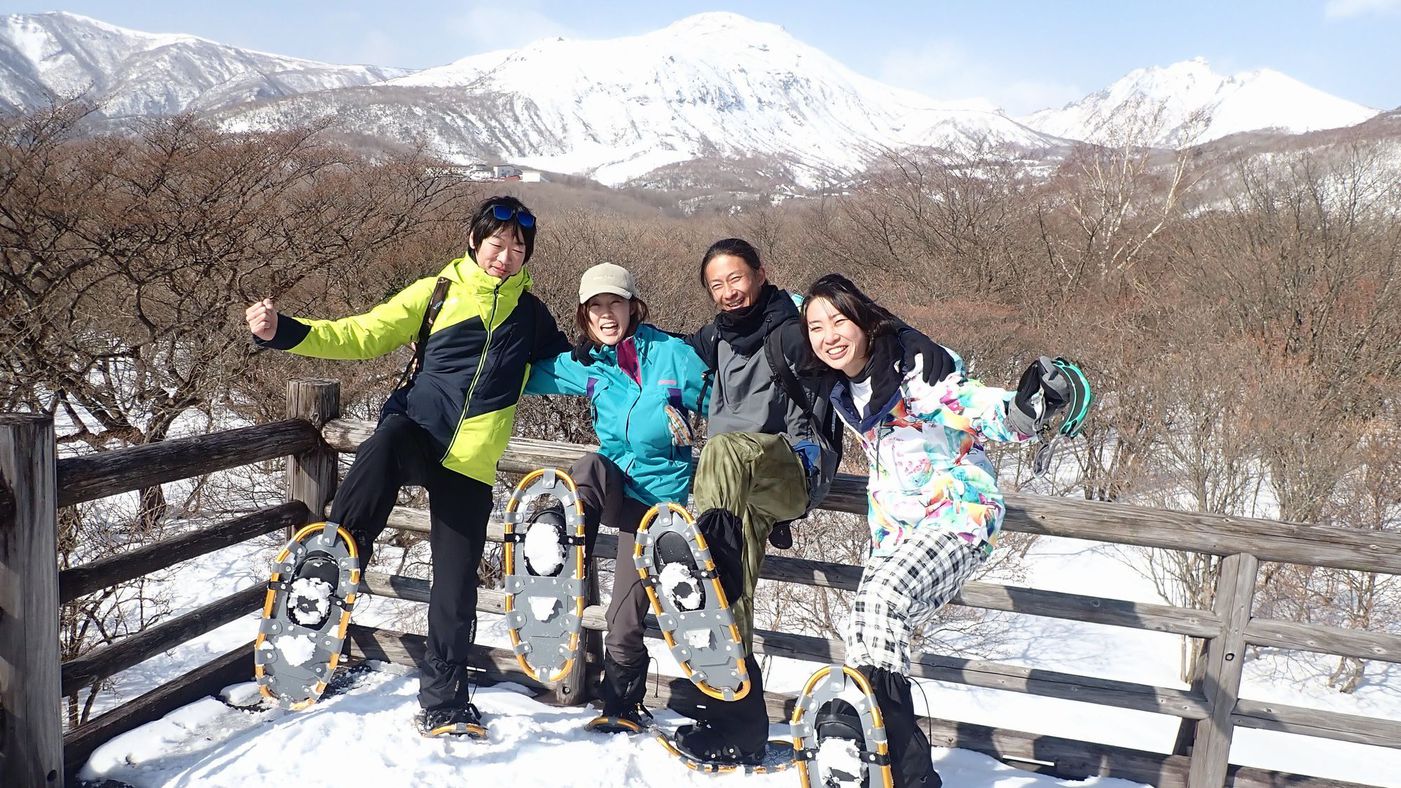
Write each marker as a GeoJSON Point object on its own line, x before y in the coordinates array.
{"type": "Point", "coordinates": [310, 595]}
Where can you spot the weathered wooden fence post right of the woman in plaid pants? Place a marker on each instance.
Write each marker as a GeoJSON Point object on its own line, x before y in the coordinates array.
{"type": "Point", "coordinates": [1225, 665]}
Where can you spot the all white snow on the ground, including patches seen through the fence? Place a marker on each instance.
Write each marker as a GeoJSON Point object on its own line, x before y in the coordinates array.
{"type": "Point", "coordinates": [369, 733]}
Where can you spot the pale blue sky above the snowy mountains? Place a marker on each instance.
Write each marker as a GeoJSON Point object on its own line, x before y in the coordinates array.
{"type": "Point", "coordinates": [1021, 55]}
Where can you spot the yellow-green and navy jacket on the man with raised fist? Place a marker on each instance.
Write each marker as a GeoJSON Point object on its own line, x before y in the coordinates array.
{"type": "Point", "coordinates": [476, 362]}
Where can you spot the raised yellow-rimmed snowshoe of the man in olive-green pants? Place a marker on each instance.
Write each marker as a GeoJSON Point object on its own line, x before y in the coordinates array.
{"type": "Point", "coordinates": [693, 612]}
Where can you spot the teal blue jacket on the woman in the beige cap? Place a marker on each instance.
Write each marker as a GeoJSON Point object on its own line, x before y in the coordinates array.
{"type": "Point", "coordinates": [631, 421]}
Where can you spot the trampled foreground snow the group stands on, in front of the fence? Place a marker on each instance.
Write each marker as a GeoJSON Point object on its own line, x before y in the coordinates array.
{"type": "Point", "coordinates": [365, 737]}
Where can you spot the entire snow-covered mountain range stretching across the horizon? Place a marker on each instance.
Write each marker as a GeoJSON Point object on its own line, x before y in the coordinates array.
{"type": "Point", "coordinates": [714, 96]}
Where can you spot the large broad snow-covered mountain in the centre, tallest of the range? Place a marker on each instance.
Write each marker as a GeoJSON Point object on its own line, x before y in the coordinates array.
{"type": "Point", "coordinates": [711, 86]}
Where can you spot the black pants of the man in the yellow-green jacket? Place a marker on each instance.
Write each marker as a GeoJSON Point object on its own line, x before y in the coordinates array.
{"type": "Point", "coordinates": [403, 454]}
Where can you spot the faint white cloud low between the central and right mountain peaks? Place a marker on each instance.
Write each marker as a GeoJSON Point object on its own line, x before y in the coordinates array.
{"type": "Point", "coordinates": [944, 71]}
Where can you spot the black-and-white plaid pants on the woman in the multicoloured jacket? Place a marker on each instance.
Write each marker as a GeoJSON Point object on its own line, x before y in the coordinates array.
{"type": "Point", "coordinates": [925, 571]}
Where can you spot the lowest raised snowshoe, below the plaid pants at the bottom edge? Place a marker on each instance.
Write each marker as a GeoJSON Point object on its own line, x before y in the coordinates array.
{"type": "Point", "coordinates": [838, 733]}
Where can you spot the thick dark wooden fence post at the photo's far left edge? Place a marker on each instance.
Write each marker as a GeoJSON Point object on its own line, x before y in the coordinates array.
{"type": "Point", "coordinates": [32, 728]}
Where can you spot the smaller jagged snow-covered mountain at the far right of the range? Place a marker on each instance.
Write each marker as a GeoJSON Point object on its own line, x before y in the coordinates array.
{"type": "Point", "coordinates": [1189, 103]}
